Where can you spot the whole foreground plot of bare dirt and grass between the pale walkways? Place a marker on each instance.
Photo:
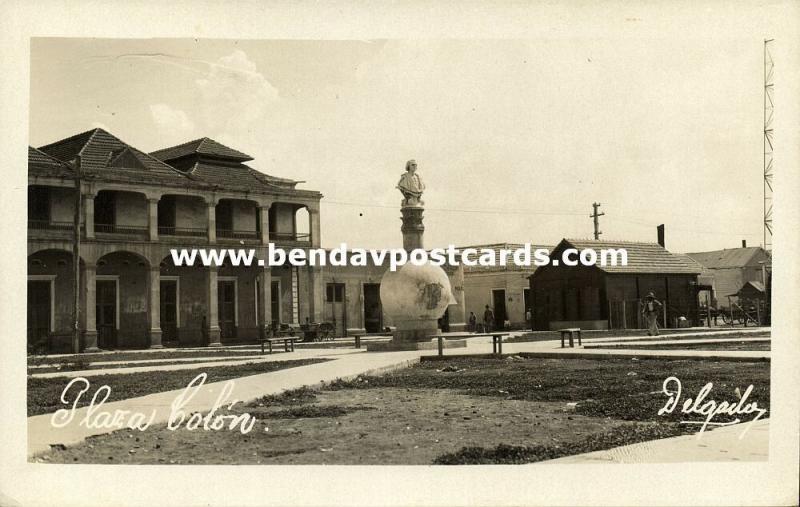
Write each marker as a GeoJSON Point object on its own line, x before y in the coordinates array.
{"type": "Point", "coordinates": [455, 411]}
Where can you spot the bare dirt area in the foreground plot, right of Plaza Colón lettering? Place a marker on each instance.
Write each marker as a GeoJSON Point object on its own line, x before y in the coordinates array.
{"type": "Point", "coordinates": [378, 426]}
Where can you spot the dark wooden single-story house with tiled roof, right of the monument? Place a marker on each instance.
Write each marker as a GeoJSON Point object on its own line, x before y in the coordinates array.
{"type": "Point", "coordinates": [603, 297]}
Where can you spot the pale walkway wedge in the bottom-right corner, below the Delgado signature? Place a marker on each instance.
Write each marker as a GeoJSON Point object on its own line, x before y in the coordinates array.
{"type": "Point", "coordinates": [721, 444]}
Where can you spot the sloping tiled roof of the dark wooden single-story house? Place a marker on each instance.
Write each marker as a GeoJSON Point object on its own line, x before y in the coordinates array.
{"type": "Point", "coordinates": [644, 258]}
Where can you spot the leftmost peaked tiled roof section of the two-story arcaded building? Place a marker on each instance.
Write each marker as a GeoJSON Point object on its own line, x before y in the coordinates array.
{"type": "Point", "coordinates": [97, 149]}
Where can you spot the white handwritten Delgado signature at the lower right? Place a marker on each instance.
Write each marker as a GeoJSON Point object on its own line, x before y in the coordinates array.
{"type": "Point", "coordinates": [709, 408]}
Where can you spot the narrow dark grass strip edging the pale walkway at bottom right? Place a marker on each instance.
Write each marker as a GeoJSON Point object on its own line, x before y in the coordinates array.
{"type": "Point", "coordinates": [512, 455]}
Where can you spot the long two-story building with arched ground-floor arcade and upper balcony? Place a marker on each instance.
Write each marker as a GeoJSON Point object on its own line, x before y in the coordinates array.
{"type": "Point", "coordinates": [135, 207]}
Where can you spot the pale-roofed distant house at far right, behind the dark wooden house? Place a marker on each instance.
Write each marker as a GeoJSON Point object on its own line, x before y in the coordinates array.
{"type": "Point", "coordinates": [732, 269]}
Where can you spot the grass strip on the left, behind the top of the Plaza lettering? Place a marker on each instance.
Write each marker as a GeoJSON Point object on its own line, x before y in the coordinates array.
{"type": "Point", "coordinates": [44, 393]}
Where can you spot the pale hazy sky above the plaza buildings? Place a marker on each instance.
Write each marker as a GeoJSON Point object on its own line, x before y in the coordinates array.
{"type": "Point", "coordinates": [514, 139]}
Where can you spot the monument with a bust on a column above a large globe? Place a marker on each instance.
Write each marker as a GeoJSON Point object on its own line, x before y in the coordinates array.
{"type": "Point", "coordinates": [414, 297]}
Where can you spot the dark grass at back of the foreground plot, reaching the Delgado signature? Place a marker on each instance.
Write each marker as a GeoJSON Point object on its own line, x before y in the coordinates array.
{"type": "Point", "coordinates": [623, 389]}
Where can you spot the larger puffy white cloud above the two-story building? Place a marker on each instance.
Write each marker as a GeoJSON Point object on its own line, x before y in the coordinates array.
{"type": "Point", "coordinates": [234, 95]}
